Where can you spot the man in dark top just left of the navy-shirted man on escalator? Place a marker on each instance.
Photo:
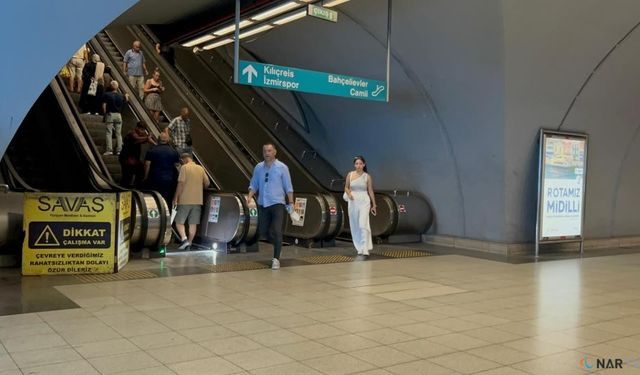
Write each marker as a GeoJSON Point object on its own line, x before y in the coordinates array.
{"type": "Point", "coordinates": [132, 168]}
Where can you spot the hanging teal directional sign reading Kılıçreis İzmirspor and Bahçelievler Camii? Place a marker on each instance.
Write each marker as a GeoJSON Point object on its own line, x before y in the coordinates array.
{"type": "Point", "coordinates": [293, 79]}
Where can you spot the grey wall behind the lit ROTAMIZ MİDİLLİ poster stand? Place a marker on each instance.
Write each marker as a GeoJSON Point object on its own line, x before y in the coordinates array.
{"type": "Point", "coordinates": [551, 48]}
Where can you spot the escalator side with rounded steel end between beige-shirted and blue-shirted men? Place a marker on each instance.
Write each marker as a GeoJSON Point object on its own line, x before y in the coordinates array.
{"type": "Point", "coordinates": [228, 164]}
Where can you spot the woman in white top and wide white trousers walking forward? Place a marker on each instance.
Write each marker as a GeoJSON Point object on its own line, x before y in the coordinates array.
{"type": "Point", "coordinates": [358, 192]}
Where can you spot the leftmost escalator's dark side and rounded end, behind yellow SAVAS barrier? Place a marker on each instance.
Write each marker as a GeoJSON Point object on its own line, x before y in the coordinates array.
{"type": "Point", "coordinates": [53, 150]}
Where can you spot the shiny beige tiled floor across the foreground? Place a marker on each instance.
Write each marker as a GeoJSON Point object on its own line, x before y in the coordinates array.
{"type": "Point", "coordinates": [445, 314]}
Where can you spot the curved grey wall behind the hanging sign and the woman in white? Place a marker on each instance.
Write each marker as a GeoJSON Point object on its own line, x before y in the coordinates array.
{"type": "Point", "coordinates": [442, 132]}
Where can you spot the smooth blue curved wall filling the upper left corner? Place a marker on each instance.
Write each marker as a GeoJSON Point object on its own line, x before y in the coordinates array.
{"type": "Point", "coordinates": [37, 38]}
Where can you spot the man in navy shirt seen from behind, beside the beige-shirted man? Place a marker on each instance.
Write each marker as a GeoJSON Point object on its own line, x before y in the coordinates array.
{"type": "Point", "coordinates": [161, 168]}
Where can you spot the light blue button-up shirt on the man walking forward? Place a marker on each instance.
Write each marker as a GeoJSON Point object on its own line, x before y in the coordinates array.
{"type": "Point", "coordinates": [271, 183]}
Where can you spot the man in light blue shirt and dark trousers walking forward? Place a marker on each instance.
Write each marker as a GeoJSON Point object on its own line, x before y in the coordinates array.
{"type": "Point", "coordinates": [271, 182]}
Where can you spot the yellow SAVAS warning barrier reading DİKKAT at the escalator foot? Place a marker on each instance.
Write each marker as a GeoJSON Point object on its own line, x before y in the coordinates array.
{"type": "Point", "coordinates": [68, 233]}
